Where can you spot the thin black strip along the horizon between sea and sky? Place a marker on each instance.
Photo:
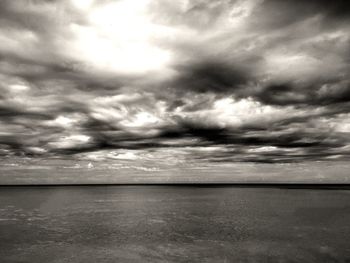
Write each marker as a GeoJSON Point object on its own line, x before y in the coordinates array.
{"type": "Point", "coordinates": [316, 186]}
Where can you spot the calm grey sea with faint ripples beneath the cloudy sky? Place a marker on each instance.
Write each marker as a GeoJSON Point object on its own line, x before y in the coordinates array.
{"type": "Point", "coordinates": [173, 224]}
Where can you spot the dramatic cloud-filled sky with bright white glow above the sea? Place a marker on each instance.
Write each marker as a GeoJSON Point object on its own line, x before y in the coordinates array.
{"type": "Point", "coordinates": [164, 86]}
